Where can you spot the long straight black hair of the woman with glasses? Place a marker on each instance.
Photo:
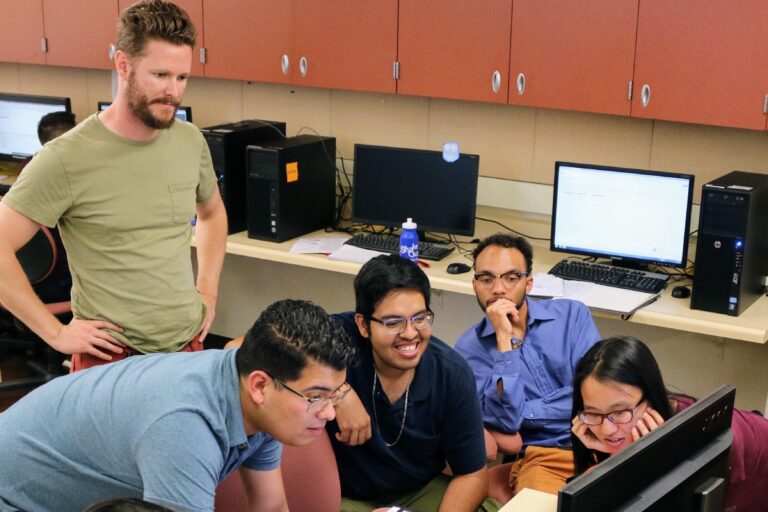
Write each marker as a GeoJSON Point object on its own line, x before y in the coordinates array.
{"type": "Point", "coordinates": [625, 360]}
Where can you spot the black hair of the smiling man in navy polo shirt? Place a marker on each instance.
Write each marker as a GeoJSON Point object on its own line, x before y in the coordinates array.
{"type": "Point", "coordinates": [383, 274]}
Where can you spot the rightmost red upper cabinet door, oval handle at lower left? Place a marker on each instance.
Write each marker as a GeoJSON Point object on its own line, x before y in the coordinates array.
{"type": "Point", "coordinates": [702, 61]}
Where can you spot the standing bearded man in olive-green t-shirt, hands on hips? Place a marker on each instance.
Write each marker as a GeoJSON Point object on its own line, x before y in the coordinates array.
{"type": "Point", "coordinates": [123, 187]}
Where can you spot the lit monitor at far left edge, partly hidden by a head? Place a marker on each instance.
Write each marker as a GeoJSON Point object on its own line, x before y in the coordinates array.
{"type": "Point", "coordinates": [19, 116]}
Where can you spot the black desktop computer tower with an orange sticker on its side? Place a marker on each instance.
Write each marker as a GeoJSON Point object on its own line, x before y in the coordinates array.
{"type": "Point", "coordinates": [291, 187]}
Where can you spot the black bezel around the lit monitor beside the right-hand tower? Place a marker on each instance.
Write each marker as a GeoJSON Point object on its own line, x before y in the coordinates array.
{"type": "Point", "coordinates": [623, 259]}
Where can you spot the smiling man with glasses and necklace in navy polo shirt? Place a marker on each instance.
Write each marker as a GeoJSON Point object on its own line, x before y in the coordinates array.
{"type": "Point", "coordinates": [414, 406]}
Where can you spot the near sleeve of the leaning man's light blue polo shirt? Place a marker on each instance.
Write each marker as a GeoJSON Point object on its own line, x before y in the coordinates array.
{"type": "Point", "coordinates": [179, 461]}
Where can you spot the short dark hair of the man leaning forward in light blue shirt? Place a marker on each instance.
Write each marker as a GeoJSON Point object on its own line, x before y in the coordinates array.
{"type": "Point", "coordinates": [290, 334]}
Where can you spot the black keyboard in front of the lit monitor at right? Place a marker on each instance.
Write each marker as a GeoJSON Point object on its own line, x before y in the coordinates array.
{"type": "Point", "coordinates": [609, 275]}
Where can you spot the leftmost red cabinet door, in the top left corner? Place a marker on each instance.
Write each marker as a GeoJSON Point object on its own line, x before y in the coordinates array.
{"type": "Point", "coordinates": [21, 31]}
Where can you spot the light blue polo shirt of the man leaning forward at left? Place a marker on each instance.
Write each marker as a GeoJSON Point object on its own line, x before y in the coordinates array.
{"type": "Point", "coordinates": [165, 427]}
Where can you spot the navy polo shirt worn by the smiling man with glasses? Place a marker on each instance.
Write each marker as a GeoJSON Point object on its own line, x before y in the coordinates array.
{"type": "Point", "coordinates": [443, 424]}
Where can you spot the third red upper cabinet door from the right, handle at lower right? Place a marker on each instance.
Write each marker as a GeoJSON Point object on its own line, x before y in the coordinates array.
{"type": "Point", "coordinates": [457, 49]}
